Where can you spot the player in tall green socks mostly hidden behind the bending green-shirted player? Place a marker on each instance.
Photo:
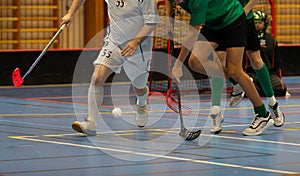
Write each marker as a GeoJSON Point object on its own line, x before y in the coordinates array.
{"type": "Point", "coordinates": [253, 51]}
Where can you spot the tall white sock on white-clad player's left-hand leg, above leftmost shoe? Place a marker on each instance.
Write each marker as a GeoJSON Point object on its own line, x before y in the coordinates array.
{"type": "Point", "coordinates": [95, 98]}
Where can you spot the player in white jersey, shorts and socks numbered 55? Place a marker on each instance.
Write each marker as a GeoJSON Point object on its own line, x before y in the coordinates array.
{"type": "Point", "coordinates": [128, 44]}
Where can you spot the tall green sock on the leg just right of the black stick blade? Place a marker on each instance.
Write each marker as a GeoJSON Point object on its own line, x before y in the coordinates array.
{"type": "Point", "coordinates": [217, 85]}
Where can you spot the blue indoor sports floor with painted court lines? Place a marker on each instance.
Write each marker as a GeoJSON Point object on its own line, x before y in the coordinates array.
{"type": "Point", "coordinates": [36, 138]}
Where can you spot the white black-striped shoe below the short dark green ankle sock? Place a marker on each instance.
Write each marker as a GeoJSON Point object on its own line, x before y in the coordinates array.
{"type": "Point", "coordinates": [258, 125]}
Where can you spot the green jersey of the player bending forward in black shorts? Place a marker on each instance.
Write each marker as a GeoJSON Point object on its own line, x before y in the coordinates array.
{"type": "Point", "coordinates": [215, 14]}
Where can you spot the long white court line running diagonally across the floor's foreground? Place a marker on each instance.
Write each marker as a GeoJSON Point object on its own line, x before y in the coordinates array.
{"type": "Point", "coordinates": [160, 156]}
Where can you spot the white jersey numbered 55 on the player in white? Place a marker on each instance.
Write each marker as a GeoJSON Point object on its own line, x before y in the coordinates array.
{"type": "Point", "coordinates": [127, 17]}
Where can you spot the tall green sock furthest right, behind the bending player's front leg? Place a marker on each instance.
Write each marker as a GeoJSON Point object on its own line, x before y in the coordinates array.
{"type": "Point", "coordinates": [263, 78]}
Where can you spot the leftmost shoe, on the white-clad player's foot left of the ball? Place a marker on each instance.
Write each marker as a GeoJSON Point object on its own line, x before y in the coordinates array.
{"type": "Point", "coordinates": [85, 127]}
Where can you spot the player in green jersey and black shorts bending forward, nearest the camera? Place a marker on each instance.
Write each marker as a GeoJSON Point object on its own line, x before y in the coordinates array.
{"type": "Point", "coordinates": [224, 25]}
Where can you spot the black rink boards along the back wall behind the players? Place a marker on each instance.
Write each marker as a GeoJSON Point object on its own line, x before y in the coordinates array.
{"type": "Point", "coordinates": [57, 66]}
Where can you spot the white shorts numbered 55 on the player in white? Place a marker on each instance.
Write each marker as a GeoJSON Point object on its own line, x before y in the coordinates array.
{"type": "Point", "coordinates": [136, 67]}
